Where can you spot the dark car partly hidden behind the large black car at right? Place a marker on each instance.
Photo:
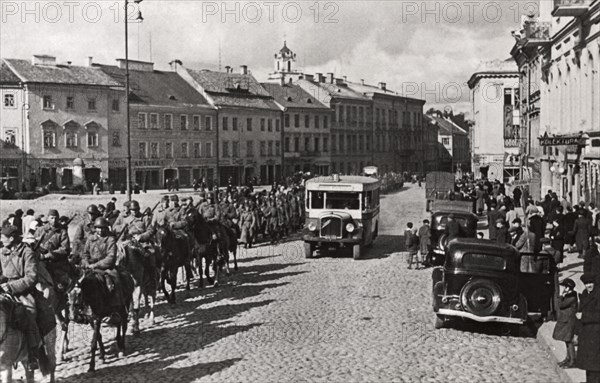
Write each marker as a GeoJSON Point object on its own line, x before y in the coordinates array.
{"type": "Point", "coordinates": [439, 239]}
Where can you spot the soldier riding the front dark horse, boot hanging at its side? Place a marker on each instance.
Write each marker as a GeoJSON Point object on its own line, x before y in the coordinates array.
{"type": "Point", "coordinates": [100, 255]}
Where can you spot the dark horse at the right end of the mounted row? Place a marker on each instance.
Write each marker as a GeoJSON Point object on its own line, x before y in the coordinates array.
{"type": "Point", "coordinates": [207, 245]}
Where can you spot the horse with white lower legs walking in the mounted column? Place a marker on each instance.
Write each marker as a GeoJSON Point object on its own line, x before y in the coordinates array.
{"type": "Point", "coordinates": [142, 266]}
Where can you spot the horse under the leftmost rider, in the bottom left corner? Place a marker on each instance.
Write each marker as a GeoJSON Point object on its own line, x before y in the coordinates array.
{"type": "Point", "coordinates": [13, 347]}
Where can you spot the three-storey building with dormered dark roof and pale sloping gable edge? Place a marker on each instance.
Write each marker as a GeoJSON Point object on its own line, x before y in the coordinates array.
{"type": "Point", "coordinates": [248, 122]}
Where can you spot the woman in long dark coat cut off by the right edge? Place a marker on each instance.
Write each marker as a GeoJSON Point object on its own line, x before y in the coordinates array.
{"type": "Point", "coordinates": [588, 352]}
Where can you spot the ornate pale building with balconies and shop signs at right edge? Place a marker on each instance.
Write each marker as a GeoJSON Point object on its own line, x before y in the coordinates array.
{"type": "Point", "coordinates": [558, 57]}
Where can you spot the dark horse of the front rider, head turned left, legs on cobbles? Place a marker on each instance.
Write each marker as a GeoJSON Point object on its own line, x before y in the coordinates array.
{"type": "Point", "coordinates": [88, 298]}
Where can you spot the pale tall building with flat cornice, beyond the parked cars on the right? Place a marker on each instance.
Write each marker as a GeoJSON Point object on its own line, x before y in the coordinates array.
{"type": "Point", "coordinates": [497, 139]}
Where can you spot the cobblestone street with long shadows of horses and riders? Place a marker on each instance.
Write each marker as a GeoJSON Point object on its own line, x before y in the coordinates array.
{"type": "Point", "coordinates": [282, 318]}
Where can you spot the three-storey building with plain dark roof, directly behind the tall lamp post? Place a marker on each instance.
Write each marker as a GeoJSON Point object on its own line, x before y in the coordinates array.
{"type": "Point", "coordinates": [173, 134]}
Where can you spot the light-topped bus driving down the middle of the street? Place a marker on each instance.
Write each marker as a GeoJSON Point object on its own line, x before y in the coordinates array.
{"type": "Point", "coordinates": [341, 211]}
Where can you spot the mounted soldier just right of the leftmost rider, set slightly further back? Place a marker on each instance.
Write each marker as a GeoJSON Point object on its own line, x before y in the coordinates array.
{"type": "Point", "coordinates": [54, 247]}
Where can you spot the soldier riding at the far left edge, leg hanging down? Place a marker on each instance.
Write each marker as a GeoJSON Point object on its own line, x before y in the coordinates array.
{"type": "Point", "coordinates": [18, 276]}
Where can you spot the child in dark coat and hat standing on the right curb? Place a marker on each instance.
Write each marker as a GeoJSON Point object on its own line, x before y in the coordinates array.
{"type": "Point", "coordinates": [565, 321]}
